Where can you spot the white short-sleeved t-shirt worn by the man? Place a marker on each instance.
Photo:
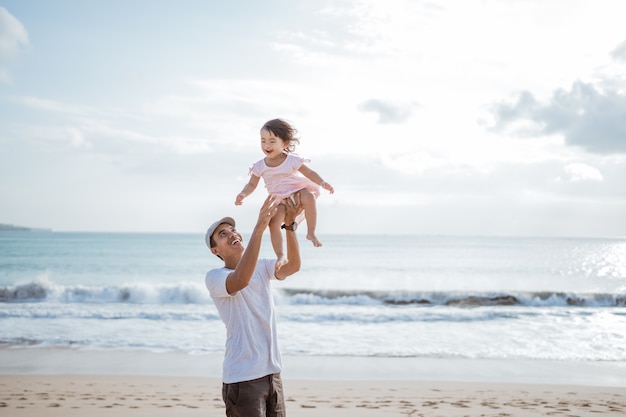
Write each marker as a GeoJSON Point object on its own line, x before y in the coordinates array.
{"type": "Point", "coordinates": [251, 342]}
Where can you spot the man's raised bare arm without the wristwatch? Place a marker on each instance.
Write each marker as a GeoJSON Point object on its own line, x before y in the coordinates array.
{"type": "Point", "coordinates": [241, 276]}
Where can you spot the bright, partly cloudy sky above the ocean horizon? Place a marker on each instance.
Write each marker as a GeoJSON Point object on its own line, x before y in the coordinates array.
{"type": "Point", "coordinates": [456, 117]}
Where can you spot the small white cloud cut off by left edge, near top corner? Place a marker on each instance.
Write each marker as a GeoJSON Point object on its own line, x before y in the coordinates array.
{"type": "Point", "coordinates": [13, 39]}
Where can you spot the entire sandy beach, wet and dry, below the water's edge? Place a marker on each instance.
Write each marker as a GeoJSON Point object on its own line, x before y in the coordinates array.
{"type": "Point", "coordinates": [66, 382]}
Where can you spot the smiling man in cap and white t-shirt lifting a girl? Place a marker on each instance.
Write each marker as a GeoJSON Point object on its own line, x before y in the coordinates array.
{"type": "Point", "coordinates": [241, 292]}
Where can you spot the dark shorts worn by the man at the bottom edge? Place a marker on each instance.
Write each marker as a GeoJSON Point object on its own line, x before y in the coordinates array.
{"type": "Point", "coordinates": [262, 397]}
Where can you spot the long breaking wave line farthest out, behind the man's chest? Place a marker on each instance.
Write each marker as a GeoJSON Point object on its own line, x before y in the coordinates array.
{"type": "Point", "coordinates": [196, 293]}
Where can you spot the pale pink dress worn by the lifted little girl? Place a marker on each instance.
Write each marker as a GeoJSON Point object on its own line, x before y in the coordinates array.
{"type": "Point", "coordinates": [285, 179]}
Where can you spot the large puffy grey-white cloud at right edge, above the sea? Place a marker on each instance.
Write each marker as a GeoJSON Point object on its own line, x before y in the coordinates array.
{"type": "Point", "coordinates": [586, 117]}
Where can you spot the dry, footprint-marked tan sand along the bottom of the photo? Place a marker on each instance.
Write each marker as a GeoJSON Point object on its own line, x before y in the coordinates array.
{"type": "Point", "coordinates": [92, 395]}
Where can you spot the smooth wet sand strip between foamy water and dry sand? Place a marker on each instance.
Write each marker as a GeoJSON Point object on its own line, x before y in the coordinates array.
{"type": "Point", "coordinates": [72, 361]}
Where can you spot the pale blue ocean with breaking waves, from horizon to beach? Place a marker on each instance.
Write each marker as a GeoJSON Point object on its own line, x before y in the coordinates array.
{"type": "Point", "coordinates": [452, 297]}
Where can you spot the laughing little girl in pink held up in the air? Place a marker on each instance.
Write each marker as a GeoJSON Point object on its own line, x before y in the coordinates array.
{"type": "Point", "coordinates": [285, 174]}
